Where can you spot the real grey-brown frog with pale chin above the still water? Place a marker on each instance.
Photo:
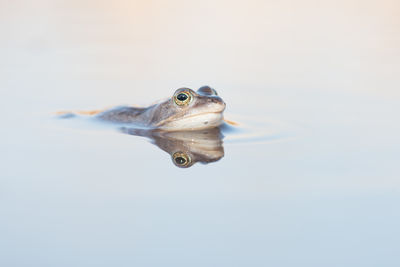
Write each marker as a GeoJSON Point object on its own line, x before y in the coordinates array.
{"type": "Point", "coordinates": [185, 110]}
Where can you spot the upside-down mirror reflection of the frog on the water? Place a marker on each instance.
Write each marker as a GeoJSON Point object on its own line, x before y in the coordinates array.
{"type": "Point", "coordinates": [186, 147]}
